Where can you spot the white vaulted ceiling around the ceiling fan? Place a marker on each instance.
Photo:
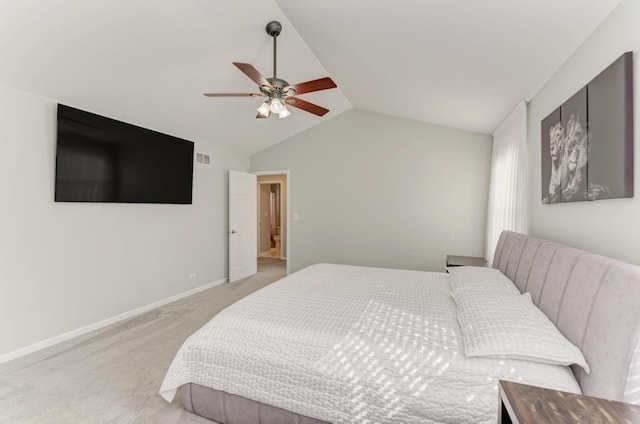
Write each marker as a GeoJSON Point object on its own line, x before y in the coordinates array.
{"type": "Point", "coordinates": [460, 63]}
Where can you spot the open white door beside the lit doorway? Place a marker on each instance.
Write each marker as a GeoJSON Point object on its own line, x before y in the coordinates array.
{"type": "Point", "coordinates": [242, 225]}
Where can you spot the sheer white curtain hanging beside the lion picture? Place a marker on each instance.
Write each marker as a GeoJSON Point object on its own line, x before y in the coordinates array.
{"type": "Point", "coordinates": [507, 189]}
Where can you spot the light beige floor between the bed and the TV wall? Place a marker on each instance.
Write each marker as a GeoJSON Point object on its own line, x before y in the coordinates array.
{"type": "Point", "coordinates": [114, 376]}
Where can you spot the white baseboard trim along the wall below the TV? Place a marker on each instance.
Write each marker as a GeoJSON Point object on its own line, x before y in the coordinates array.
{"type": "Point", "coordinates": [18, 353]}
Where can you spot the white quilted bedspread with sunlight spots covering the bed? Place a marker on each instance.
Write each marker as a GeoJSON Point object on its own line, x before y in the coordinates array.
{"type": "Point", "coordinates": [351, 344]}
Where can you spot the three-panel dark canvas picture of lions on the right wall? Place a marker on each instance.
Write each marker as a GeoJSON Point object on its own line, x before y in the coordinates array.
{"type": "Point", "coordinates": [587, 143]}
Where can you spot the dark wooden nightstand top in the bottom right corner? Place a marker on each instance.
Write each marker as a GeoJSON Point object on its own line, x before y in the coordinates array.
{"type": "Point", "coordinates": [522, 404]}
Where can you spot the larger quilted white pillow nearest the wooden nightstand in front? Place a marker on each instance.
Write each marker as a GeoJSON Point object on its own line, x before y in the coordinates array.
{"type": "Point", "coordinates": [502, 325]}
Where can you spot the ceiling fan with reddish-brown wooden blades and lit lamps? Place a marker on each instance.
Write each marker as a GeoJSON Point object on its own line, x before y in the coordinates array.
{"type": "Point", "coordinates": [279, 93]}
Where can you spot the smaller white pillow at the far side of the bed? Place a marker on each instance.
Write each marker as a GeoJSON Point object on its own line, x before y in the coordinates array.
{"type": "Point", "coordinates": [475, 277]}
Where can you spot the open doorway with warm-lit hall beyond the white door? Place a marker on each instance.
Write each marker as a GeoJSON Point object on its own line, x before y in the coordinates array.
{"type": "Point", "coordinates": [272, 234]}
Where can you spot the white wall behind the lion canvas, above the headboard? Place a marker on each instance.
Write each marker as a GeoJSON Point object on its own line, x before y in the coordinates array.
{"type": "Point", "coordinates": [609, 227]}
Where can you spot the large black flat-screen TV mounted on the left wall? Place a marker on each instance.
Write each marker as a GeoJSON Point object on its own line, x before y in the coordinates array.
{"type": "Point", "coordinates": [100, 159]}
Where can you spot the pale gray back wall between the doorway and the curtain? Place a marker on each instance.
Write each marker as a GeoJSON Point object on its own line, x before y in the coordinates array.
{"type": "Point", "coordinates": [371, 189]}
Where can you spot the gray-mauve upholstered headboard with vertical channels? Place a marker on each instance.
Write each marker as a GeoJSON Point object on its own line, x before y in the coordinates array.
{"type": "Point", "coordinates": [593, 300]}
